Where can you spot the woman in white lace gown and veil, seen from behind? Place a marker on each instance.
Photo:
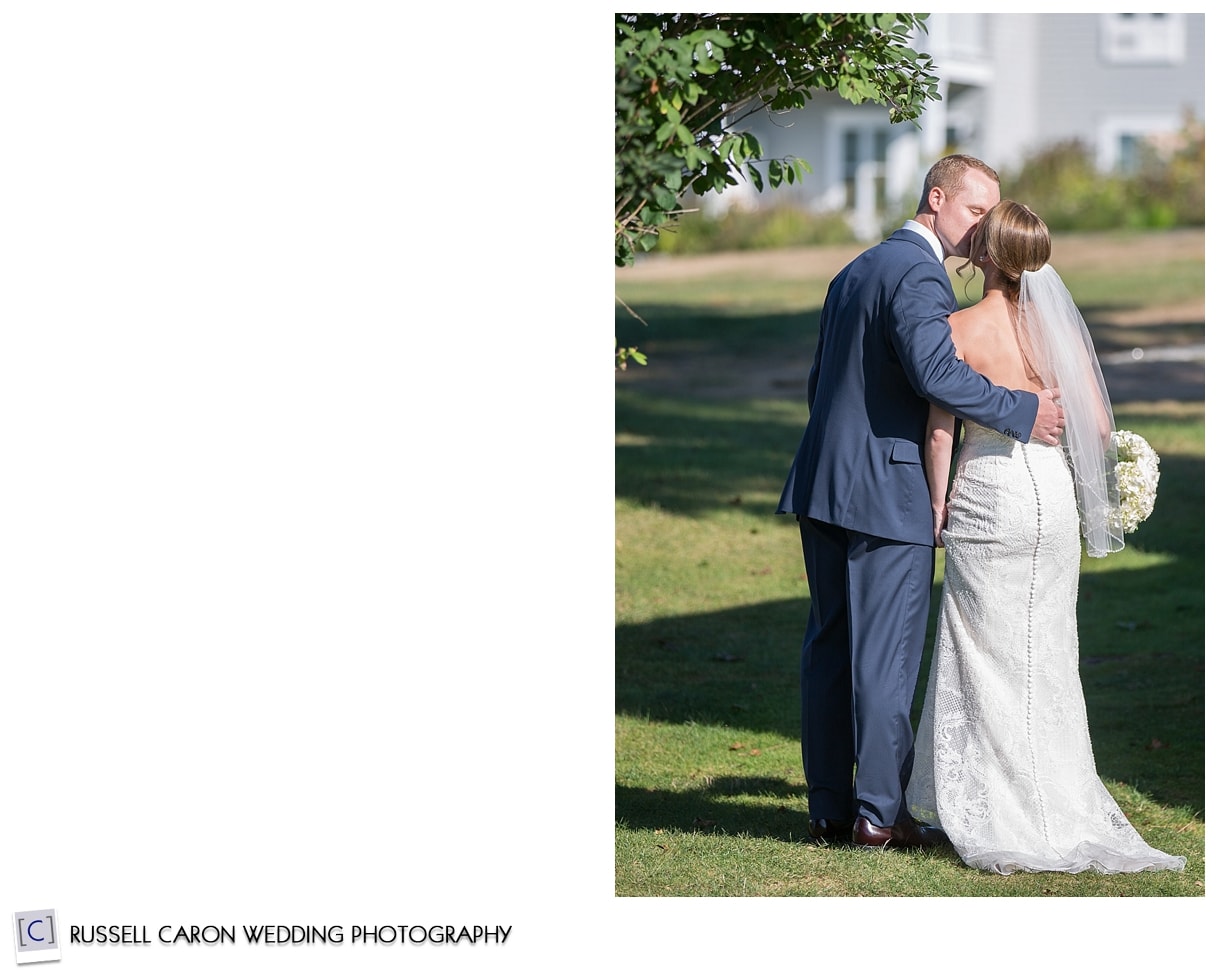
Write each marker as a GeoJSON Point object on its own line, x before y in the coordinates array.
{"type": "Point", "coordinates": [1003, 760]}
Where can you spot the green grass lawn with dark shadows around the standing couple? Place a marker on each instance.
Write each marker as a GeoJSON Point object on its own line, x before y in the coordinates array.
{"type": "Point", "coordinates": [712, 604]}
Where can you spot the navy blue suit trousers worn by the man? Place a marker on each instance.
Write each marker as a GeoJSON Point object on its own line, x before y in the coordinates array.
{"type": "Point", "coordinates": [862, 656]}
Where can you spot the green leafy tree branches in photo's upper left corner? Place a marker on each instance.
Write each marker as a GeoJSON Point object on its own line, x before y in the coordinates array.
{"type": "Point", "coordinates": [686, 82]}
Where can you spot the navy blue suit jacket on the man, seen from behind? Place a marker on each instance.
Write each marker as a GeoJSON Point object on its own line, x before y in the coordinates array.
{"type": "Point", "coordinates": [885, 350]}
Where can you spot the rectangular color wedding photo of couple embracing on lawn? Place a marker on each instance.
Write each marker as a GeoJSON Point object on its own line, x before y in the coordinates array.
{"type": "Point", "coordinates": [909, 462]}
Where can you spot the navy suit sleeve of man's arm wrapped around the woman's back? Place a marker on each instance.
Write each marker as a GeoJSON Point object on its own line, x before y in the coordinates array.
{"type": "Point", "coordinates": [921, 338]}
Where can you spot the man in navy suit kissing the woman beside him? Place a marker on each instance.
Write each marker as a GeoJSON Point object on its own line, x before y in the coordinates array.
{"type": "Point", "coordinates": [859, 492]}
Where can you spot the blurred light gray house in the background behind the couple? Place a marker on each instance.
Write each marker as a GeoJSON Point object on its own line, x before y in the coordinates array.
{"type": "Point", "coordinates": [1012, 85]}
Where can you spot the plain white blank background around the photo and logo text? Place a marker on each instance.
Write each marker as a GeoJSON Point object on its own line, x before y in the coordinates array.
{"type": "Point", "coordinates": [306, 499]}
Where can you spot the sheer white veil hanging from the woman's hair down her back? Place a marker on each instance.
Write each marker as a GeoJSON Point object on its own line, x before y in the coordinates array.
{"type": "Point", "coordinates": [1060, 350]}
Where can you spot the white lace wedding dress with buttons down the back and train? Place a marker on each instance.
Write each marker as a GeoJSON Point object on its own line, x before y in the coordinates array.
{"type": "Point", "coordinates": [1004, 757]}
